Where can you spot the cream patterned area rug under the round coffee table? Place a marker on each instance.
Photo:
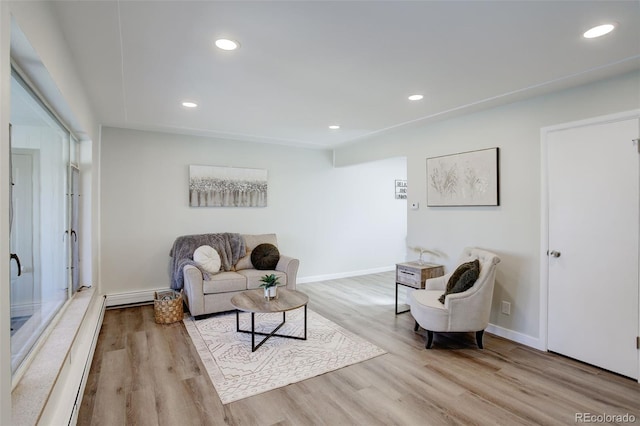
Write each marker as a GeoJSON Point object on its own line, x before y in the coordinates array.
{"type": "Point", "coordinates": [238, 373]}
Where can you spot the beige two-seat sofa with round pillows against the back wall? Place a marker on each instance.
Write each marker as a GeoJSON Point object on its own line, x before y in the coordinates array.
{"type": "Point", "coordinates": [210, 293]}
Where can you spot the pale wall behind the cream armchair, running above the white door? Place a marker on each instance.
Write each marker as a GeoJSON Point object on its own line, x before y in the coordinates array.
{"type": "Point", "coordinates": [513, 228]}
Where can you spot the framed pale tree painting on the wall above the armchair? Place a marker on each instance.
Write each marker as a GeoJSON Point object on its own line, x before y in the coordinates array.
{"type": "Point", "coordinates": [464, 179]}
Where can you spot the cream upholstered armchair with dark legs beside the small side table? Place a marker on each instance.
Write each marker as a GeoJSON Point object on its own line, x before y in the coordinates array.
{"type": "Point", "coordinates": [468, 311]}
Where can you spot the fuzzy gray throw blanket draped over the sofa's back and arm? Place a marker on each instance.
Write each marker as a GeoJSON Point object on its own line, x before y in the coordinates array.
{"type": "Point", "coordinates": [230, 247]}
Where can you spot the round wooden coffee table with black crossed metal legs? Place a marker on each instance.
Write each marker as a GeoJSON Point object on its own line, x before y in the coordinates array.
{"type": "Point", "coordinates": [253, 301]}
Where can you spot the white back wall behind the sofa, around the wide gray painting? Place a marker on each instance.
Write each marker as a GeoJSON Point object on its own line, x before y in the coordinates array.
{"type": "Point", "coordinates": [335, 220]}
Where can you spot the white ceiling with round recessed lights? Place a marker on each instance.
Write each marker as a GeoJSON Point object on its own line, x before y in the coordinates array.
{"type": "Point", "coordinates": [304, 65]}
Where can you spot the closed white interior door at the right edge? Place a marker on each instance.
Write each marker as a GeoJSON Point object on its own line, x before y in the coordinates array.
{"type": "Point", "coordinates": [593, 230]}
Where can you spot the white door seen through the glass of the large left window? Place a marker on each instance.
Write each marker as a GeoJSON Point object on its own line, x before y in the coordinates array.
{"type": "Point", "coordinates": [22, 286]}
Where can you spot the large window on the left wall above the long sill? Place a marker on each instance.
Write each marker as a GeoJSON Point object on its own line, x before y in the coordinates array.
{"type": "Point", "coordinates": [40, 237]}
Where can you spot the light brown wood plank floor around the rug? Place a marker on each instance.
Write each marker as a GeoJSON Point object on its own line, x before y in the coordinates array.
{"type": "Point", "coordinates": [149, 374]}
